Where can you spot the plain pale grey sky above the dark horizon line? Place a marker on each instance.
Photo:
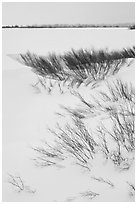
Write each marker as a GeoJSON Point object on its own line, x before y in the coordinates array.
{"type": "Point", "coordinates": [71, 12]}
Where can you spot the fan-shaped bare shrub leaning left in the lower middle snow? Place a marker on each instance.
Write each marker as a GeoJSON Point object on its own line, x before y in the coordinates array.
{"type": "Point", "coordinates": [74, 141]}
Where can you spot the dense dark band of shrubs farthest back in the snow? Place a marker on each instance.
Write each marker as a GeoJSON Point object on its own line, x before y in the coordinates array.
{"type": "Point", "coordinates": [75, 67]}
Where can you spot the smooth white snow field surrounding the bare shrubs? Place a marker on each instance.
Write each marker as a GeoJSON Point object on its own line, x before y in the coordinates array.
{"type": "Point", "coordinates": [27, 112]}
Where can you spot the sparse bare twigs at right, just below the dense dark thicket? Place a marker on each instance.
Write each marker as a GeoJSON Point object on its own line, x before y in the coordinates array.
{"type": "Point", "coordinates": [115, 96]}
